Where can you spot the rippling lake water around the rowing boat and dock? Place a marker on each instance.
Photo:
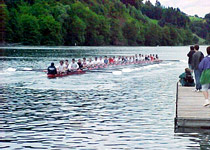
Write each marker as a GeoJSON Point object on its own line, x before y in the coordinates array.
{"type": "Point", "coordinates": [97, 110]}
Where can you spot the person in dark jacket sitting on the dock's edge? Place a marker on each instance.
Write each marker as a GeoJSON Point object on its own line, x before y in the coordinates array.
{"type": "Point", "coordinates": [186, 78]}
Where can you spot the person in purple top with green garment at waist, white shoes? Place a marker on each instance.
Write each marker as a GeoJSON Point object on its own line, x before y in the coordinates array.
{"type": "Point", "coordinates": [204, 66]}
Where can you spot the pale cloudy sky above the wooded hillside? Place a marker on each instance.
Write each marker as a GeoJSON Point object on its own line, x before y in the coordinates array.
{"type": "Point", "coordinates": [190, 7]}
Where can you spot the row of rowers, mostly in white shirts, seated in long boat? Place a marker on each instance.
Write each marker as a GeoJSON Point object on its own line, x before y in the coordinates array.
{"type": "Point", "coordinates": [88, 64]}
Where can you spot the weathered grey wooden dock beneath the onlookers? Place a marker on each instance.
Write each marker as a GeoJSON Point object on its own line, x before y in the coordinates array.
{"type": "Point", "coordinates": [190, 112]}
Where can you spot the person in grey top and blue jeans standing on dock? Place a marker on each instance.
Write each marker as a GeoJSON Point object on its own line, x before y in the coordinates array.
{"type": "Point", "coordinates": [196, 59]}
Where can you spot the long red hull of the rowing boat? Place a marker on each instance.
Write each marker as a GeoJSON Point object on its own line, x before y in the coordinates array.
{"type": "Point", "coordinates": [78, 72]}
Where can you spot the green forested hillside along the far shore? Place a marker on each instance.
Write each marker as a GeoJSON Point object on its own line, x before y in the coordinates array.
{"type": "Point", "coordinates": [99, 23]}
